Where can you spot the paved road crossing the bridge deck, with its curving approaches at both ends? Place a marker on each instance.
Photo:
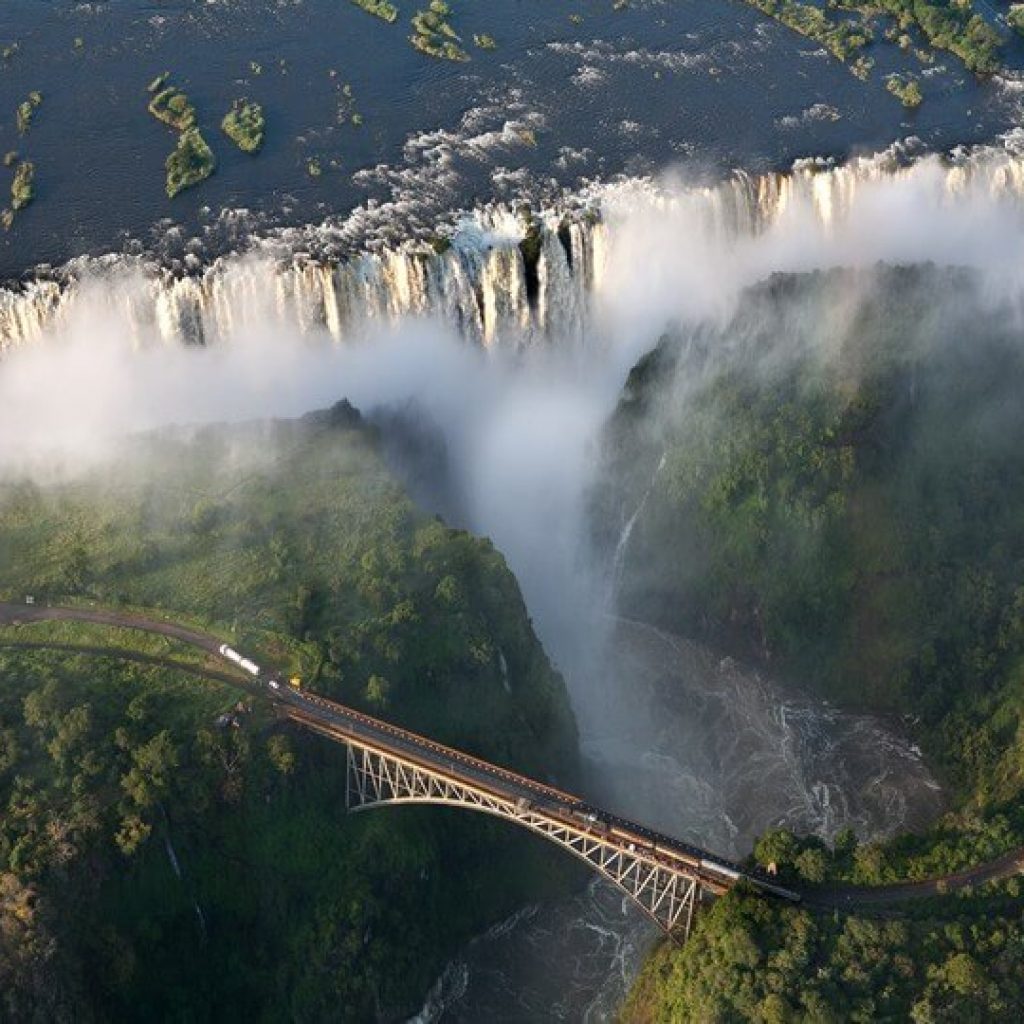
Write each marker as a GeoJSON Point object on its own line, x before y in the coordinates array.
{"type": "Point", "coordinates": [343, 722]}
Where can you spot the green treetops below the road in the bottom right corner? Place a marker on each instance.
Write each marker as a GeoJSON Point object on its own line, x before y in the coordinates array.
{"type": "Point", "coordinates": [751, 960]}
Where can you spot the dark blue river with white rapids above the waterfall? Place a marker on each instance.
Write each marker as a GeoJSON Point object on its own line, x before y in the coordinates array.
{"type": "Point", "coordinates": [711, 83]}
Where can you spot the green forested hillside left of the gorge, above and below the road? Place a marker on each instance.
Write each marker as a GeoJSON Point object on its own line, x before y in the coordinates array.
{"type": "Point", "coordinates": [168, 849]}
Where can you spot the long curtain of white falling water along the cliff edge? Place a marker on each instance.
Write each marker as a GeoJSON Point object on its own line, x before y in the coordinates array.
{"type": "Point", "coordinates": [478, 281]}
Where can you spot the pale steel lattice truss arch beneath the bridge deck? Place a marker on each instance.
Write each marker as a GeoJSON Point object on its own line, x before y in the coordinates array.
{"type": "Point", "coordinates": [668, 894]}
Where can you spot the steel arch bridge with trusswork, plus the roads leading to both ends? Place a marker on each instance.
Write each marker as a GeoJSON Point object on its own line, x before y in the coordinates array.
{"type": "Point", "coordinates": [392, 765]}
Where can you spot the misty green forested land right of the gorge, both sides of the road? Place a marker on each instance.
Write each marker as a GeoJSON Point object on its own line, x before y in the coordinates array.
{"type": "Point", "coordinates": [836, 491]}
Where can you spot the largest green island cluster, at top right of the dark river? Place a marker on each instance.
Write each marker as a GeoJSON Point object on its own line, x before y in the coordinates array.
{"type": "Point", "coordinates": [953, 26]}
